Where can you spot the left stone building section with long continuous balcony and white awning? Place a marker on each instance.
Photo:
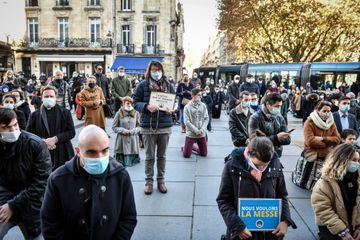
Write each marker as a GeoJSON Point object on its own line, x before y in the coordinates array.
{"type": "Point", "coordinates": [71, 35]}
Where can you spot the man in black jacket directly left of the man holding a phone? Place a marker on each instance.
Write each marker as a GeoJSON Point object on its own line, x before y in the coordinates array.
{"type": "Point", "coordinates": [238, 120]}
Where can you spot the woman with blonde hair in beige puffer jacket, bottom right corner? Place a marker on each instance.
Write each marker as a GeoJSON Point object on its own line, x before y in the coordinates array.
{"type": "Point", "coordinates": [336, 196]}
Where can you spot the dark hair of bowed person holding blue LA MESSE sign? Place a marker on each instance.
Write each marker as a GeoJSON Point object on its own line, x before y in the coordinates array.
{"type": "Point", "coordinates": [260, 147]}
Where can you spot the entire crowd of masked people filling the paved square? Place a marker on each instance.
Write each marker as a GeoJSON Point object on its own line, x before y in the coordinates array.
{"type": "Point", "coordinates": [50, 189]}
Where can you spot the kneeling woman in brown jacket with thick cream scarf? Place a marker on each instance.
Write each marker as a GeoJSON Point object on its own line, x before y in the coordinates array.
{"type": "Point", "coordinates": [320, 135]}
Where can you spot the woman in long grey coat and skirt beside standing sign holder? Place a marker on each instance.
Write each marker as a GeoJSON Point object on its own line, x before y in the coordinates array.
{"type": "Point", "coordinates": [126, 126]}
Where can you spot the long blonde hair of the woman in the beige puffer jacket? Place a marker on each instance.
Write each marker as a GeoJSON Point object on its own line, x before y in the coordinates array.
{"type": "Point", "coordinates": [336, 162]}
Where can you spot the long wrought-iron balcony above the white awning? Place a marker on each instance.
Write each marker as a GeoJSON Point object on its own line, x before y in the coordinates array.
{"type": "Point", "coordinates": [69, 43]}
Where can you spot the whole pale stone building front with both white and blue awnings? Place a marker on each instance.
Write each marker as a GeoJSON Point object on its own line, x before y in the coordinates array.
{"type": "Point", "coordinates": [74, 35]}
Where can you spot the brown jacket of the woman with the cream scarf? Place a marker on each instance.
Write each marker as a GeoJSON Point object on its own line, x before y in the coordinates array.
{"type": "Point", "coordinates": [331, 138]}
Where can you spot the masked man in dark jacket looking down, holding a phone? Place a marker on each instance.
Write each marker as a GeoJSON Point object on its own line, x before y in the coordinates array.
{"type": "Point", "coordinates": [269, 121]}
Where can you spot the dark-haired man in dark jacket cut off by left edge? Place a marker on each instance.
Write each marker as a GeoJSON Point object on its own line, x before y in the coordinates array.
{"type": "Point", "coordinates": [24, 169]}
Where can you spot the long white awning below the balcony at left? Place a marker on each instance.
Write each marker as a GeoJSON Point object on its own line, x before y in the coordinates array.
{"type": "Point", "coordinates": [70, 58]}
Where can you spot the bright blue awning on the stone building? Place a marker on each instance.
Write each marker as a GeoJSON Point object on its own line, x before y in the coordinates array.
{"type": "Point", "coordinates": [134, 65]}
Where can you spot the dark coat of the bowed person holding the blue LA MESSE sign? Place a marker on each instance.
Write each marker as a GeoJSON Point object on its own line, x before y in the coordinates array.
{"type": "Point", "coordinates": [272, 185]}
